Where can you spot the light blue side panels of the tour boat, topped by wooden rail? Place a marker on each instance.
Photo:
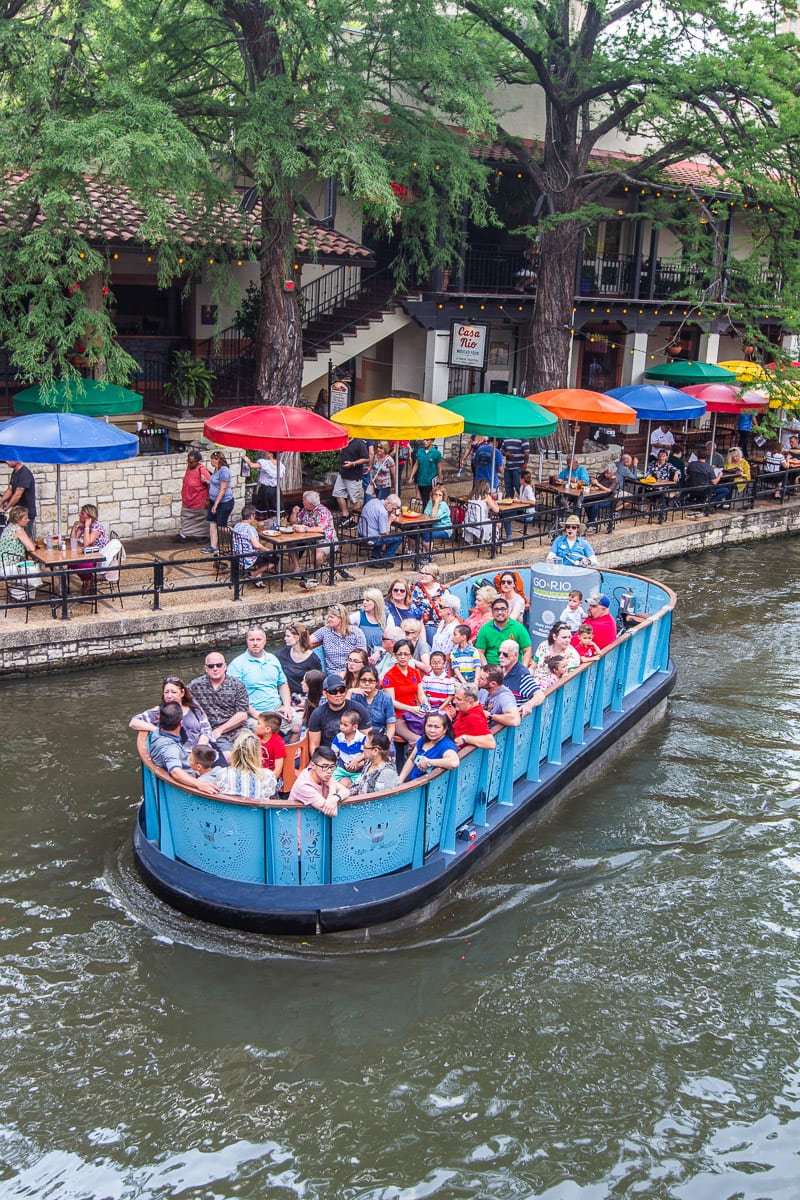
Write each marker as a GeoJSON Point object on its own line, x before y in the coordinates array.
{"type": "Point", "coordinates": [284, 845]}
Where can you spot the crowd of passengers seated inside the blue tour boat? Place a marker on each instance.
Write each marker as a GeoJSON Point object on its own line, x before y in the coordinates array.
{"type": "Point", "coordinates": [436, 701]}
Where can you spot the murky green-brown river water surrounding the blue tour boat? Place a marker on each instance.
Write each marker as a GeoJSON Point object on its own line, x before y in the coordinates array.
{"type": "Point", "coordinates": [611, 1011]}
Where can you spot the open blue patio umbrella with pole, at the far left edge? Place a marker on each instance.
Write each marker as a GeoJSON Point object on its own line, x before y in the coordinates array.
{"type": "Point", "coordinates": [64, 439]}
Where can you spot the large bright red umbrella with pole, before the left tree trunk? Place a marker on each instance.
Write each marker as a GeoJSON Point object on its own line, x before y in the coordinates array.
{"type": "Point", "coordinates": [275, 428]}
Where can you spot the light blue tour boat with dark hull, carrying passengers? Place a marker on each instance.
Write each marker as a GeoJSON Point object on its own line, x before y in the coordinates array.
{"type": "Point", "coordinates": [393, 859]}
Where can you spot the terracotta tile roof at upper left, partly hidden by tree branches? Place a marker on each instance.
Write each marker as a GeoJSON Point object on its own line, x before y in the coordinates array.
{"type": "Point", "coordinates": [111, 214]}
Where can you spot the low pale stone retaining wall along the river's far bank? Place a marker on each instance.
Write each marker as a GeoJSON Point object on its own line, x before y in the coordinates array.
{"type": "Point", "coordinates": [79, 644]}
